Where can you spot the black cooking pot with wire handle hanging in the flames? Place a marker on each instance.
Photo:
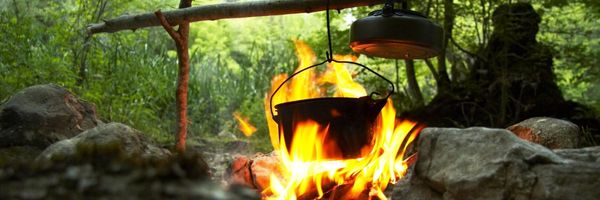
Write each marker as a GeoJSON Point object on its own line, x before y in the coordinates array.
{"type": "Point", "coordinates": [349, 121]}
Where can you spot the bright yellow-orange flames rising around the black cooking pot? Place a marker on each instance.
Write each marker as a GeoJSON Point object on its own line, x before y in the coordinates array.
{"type": "Point", "coordinates": [305, 169]}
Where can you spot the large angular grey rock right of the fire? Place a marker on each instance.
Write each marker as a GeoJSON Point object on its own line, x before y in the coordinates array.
{"type": "Point", "coordinates": [482, 163]}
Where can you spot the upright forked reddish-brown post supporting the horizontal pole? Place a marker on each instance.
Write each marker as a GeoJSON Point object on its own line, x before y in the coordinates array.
{"type": "Point", "coordinates": [181, 42]}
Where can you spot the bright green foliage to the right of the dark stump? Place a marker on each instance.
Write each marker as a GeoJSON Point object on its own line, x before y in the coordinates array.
{"type": "Point", "coordinates": [573, 31]}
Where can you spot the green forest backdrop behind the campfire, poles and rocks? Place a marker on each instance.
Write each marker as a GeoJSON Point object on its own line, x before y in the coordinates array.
{"type": "Point", "coordinates": [131, 75]}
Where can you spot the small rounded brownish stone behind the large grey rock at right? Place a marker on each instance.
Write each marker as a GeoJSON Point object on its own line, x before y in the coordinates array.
{"type": "Point", "coordinates": [549, 132]}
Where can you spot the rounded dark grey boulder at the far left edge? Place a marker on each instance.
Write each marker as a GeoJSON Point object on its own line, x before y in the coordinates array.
{"type": "Point", "coordinates": [43, 114]}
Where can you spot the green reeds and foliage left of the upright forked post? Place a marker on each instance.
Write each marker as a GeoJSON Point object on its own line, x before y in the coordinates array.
{"type": "Point", "coordinates": [128, 75]}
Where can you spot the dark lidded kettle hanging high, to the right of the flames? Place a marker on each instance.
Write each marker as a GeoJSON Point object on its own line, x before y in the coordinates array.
{"type": "Point", "coordinates": [396, 33]}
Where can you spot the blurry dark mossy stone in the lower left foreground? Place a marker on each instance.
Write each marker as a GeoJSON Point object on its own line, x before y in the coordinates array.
{"type": "Point", "coordinates": [177, 177]}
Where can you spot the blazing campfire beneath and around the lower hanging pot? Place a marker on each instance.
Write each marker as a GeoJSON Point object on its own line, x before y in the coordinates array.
{"type": "Point", "coordinates": [314, 164]}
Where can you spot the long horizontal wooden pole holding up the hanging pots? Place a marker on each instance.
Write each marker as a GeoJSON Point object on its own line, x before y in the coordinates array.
{"type": "Point", "coordinates": [225, 11]}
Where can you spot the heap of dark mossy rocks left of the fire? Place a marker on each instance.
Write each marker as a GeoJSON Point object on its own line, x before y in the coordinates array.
{"type": "Point", "coordinates": [85, 158]}
